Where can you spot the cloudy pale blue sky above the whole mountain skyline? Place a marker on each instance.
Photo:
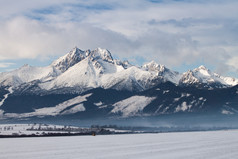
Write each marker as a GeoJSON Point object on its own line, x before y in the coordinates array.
{"type": "Point", "coordinates": [181, 34]}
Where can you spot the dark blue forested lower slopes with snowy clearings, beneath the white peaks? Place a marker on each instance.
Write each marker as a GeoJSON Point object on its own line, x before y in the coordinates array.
{"type": "Point", "coordinates": [163, 99]}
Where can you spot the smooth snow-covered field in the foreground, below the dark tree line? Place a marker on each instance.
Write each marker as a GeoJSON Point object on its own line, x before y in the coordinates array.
{"type": "Point", "coordinates": [210, 144]}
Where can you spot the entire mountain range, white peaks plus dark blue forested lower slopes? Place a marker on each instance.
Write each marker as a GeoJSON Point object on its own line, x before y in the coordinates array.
{"type": "Point", "coordinates": [93, 83]}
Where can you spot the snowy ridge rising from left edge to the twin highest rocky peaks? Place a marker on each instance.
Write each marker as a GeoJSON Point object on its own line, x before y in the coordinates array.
{"type": "Point", "coordinates": [29, 73]}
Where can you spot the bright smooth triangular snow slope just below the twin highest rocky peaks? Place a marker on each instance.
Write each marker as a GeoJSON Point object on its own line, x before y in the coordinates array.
{"type": "Point", "coordinates": [87, 73]}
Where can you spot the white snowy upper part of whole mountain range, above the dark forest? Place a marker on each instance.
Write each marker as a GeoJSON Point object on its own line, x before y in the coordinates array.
{"type": "Point", "coordinates": [84, 70]}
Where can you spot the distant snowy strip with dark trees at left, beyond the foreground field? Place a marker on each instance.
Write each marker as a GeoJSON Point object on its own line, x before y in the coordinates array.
{"type": "Point", "coordinates": [37, 130]}
